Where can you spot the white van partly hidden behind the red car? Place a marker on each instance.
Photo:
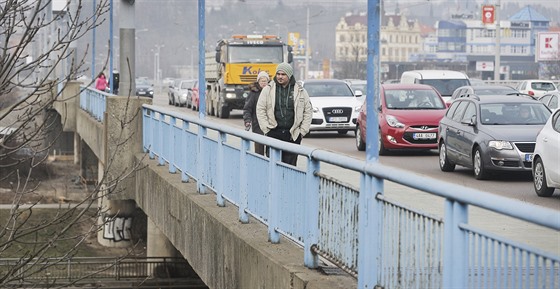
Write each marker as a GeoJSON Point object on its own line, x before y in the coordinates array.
{"type": "Point", "coordinates": [445, 81]}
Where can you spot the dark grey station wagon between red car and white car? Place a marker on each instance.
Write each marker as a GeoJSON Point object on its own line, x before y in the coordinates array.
{"type": "Point", "coordinates": [489, 134]}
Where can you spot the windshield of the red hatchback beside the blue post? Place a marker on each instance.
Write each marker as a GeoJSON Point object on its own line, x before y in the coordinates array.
{"type": "Point", "coordinates": [413, 99]}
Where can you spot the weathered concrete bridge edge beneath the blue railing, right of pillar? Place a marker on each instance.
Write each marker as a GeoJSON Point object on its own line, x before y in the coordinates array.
{"type": "Point", "coordinates": [222, 251]}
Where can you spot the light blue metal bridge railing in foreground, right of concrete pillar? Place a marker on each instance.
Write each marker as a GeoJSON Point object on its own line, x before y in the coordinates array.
{"type": "Point", "coordinates": [360, 229]}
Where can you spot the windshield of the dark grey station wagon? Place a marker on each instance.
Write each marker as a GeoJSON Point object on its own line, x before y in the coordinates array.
{"type": "Point", "coordinates": [514, 113]}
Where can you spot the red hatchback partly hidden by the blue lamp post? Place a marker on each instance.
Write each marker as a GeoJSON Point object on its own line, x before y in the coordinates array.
{"type": "Point", "coordinates": [408, 117]}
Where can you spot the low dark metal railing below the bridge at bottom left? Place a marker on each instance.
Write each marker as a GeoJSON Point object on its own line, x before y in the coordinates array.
{"type": "Point", "coordinates": [61, 270]}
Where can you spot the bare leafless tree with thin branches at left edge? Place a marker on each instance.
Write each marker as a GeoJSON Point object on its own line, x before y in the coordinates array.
{"type": "Point", "coordinates": [34, 44]}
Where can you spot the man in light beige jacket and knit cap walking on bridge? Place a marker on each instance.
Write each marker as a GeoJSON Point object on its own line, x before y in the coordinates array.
{"type": "Point", "coordinates": [284, 110]}
